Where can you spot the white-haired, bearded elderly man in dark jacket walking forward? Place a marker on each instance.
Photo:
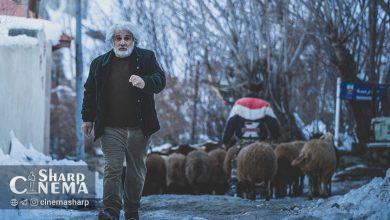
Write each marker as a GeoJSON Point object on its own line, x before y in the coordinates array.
{"type": "Point", "coordinates": [118, 106]}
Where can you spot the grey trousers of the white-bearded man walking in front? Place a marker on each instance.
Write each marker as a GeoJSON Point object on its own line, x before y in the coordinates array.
{"type": "Point", "coordinates": [118, 144]}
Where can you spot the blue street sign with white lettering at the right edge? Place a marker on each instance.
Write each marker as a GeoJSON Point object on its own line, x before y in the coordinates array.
{"type": "Point", "coordinates": [363, 91]}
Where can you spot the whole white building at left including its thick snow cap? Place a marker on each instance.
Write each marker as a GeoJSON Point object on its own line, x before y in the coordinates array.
{"type": "Point", "coordinates": [25, 80]}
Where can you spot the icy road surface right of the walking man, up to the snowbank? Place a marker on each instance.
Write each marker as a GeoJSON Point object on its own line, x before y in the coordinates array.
{"type": "Point", "coordinates": [177, 207]}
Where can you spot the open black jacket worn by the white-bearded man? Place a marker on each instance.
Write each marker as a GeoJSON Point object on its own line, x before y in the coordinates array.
{"type": "Point", "coordinates": [143, 63]}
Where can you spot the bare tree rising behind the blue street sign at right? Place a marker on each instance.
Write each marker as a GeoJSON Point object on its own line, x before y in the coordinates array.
{"type": "Point", "coordinates": [341, 28]}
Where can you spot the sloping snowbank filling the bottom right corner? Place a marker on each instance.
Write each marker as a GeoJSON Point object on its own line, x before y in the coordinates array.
{"type": "Point", "coordinates": [371, 201]}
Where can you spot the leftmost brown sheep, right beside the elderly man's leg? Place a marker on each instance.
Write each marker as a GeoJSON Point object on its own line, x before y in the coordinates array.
{"type": "Point", "coordinates": [155, 180]}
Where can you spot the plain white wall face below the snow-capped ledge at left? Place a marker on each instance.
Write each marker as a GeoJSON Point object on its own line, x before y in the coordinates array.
{"type": "Point", "coordinates": [25, 93]}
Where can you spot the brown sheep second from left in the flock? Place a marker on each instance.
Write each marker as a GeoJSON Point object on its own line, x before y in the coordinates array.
{"type": "Point", "coordinates": [176, 180]}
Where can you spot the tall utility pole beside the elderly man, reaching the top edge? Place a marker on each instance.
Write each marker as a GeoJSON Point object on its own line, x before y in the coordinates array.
{"type": "Point", "coordinates": [79, 84]}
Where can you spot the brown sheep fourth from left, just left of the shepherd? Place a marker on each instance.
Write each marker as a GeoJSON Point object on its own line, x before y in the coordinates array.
{"type": "Point", "coordinates": [219, 179]}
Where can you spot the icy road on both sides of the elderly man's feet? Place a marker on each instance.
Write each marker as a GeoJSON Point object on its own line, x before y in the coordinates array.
{"type": "Point", "coordinates": [179, 207]}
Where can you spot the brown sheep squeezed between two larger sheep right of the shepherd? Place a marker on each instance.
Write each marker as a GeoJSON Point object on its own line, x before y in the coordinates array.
{"type": "Point", "coordinates": [287, 177]}
